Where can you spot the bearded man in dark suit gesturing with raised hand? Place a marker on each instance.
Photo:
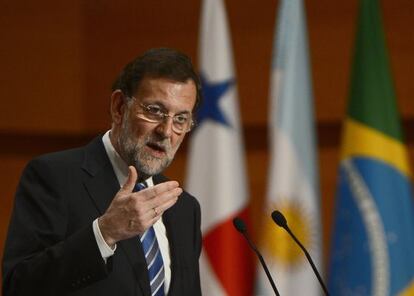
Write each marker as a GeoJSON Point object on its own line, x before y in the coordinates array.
{"type": "Point", "coordinates": [101, 220]}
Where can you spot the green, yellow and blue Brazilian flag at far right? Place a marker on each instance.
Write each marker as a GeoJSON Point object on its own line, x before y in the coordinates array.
{"type": "Point", "coordinates": [372, 249]}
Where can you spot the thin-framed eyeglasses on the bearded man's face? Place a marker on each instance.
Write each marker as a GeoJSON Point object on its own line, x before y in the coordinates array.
{"type": "Point", "coordinates": [182, 123]}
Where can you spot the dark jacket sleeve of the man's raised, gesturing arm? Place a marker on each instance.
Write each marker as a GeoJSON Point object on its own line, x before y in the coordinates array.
{"type": "Point", "coordinates": [40, 257]}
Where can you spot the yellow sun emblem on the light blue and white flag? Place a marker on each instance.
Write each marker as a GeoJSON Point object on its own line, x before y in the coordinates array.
{"type": "Point", "coordinates": [277, 243]}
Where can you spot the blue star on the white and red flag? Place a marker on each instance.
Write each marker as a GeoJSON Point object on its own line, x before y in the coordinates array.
{"type": "Point", "coordinates": [209, 108]}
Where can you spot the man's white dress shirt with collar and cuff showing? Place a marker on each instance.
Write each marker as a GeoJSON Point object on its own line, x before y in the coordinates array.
{"type": "Point", "coordinates": [121, 172]}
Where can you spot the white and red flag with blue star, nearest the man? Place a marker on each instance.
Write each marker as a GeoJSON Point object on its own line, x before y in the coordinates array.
{"type": "Point", "coordinates": [216, 170]}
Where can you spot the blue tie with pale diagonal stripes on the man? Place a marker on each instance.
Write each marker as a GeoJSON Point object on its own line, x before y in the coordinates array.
{"type": "Point", "coordinates": [152, 256]}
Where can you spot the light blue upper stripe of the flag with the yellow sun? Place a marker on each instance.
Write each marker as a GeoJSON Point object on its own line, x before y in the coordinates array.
{"type": "Point", "coordinates": [293, 112]}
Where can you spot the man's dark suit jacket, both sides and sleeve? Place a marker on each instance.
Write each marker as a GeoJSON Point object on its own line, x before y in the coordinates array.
{"type": "Point", "coordinates": [51, 248]}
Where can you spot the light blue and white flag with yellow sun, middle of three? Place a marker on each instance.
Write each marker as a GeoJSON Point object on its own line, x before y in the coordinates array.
{"type": "Point", "coordinates": [293, 177]}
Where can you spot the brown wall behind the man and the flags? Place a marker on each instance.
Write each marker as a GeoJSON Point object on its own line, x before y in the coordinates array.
{"type": "Point", "coordinates": [58, 61]}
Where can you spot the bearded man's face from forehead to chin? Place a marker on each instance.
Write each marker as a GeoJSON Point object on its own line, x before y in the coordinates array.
{"type": "Point", "coordinates": [151, 146]}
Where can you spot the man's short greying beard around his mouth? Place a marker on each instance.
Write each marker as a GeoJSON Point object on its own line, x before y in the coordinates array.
{"type": "Point", "coordinates": [137, 152]}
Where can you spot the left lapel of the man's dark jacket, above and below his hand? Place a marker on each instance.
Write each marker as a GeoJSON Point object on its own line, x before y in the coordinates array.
{"type": "Point", "coordinates": [102, 185]}
